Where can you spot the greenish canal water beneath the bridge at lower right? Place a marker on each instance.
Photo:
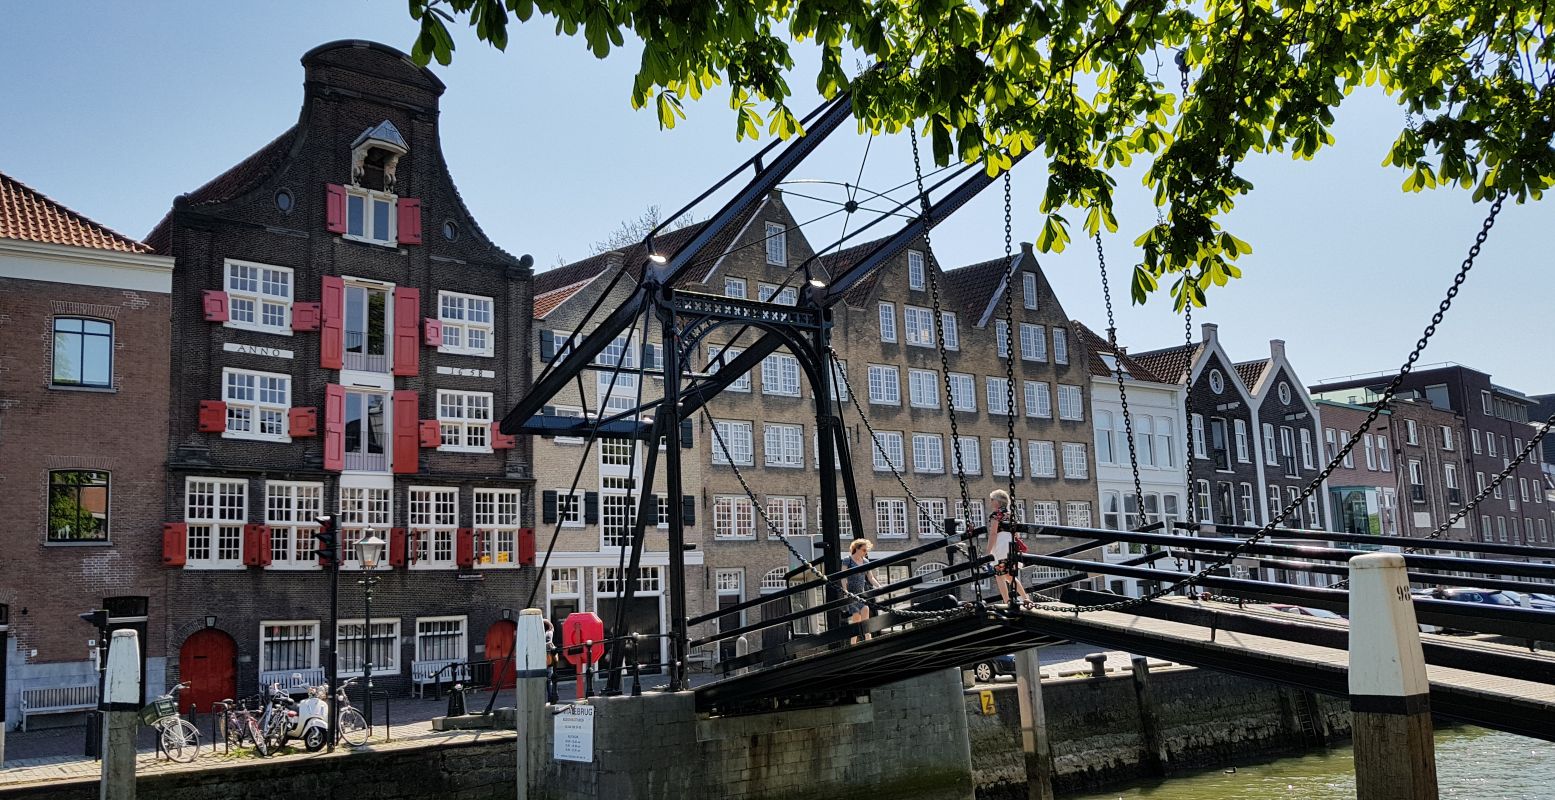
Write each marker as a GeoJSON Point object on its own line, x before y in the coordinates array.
{"type": "Point", "coordinates": [1472, 765]}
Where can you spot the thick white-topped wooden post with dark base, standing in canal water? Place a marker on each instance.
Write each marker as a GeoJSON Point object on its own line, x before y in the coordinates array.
{"type": "Point", "coordinates": [1389, 692]}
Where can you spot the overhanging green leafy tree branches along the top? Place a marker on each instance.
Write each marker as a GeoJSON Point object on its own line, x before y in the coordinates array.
{"type": "Point", "coordinates": [1095, 85]}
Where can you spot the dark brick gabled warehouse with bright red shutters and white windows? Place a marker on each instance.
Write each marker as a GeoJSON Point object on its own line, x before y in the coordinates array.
{"type": "Point", "coordinates": [348, 339]}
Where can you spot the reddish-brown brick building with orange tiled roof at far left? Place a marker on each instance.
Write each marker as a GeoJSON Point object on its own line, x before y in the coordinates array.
{"type": "Point", "coordinates": [83, 390]}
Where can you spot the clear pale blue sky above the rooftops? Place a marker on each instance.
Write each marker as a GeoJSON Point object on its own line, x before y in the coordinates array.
{"type": "Point", "coordinates": [117, 108]}
